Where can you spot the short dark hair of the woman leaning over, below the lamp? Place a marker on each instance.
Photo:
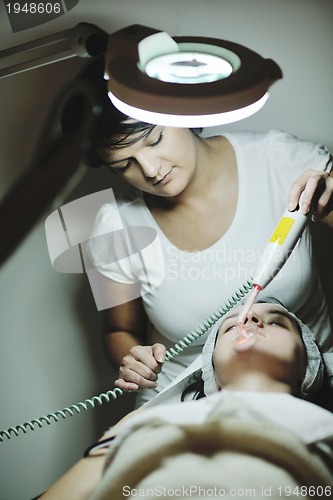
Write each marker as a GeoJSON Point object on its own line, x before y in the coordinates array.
{"type": "Point", "coordinates": [113, 130]}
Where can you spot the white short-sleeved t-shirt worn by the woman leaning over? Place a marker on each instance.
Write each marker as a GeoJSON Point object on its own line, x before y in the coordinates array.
{"type": "Point", "coordinates": [180, 289]}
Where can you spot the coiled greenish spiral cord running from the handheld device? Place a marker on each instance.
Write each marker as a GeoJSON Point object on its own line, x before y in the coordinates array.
{"type": "Point", "coordinates": [116, 392]}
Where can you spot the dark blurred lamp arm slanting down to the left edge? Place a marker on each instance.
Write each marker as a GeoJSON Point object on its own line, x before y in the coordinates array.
{"type": "Point", "coordinates": [53, 168]}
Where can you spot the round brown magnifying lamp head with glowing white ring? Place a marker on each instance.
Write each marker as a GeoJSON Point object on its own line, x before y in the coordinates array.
{"type": "Point", "coordinates": [185, 81]}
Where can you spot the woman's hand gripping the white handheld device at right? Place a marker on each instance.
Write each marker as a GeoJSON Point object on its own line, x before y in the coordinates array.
{"type": "Point", "coordinates": [317, 193]}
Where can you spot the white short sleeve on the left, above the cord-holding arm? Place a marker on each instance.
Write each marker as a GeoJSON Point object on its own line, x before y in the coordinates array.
{"type": "Point", "coordinates": [125, 250]}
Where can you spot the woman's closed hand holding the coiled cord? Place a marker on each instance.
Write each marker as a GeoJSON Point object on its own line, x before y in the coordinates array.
{"type": "Point", "coordinates": [140, 367]}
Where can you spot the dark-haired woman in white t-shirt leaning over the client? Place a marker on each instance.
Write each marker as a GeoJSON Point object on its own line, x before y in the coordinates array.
{"type": "Point", "coordinates": [213, 201]}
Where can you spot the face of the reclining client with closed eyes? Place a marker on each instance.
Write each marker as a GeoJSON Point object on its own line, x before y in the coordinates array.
{"type": "Point", "coordinates": [278, 351]}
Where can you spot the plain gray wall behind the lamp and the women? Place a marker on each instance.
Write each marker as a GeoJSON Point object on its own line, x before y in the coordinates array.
{"type": "Point", "coordinates": [51, 352]}
